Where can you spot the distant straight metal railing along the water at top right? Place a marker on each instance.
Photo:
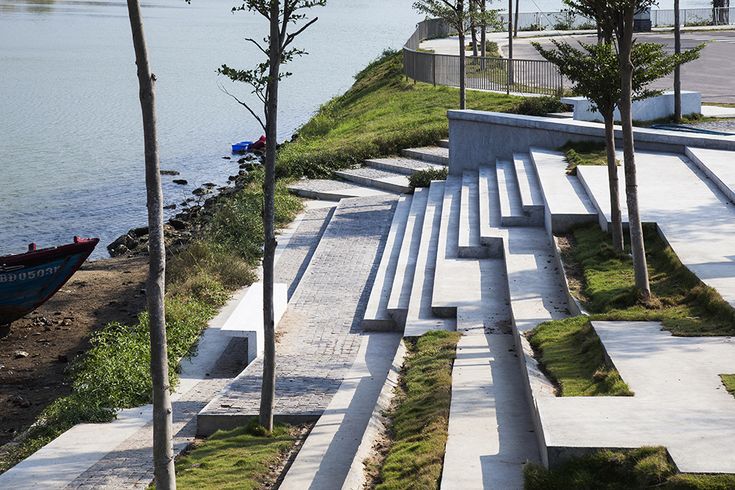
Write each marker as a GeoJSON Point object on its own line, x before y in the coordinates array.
{"type": "Point", "coordinates": [565, 21]}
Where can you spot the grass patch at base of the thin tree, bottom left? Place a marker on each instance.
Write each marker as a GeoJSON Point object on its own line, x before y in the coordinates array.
{"type": "Point", "coordinates": [242, 458]}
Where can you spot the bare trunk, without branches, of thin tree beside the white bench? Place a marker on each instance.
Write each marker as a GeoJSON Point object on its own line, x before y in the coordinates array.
{"type": "Point", "coordinates": [268, 392]}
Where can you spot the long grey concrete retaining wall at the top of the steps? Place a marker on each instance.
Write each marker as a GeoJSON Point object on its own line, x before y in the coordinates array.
{"type": "Point", "coordinates": [478, 138]}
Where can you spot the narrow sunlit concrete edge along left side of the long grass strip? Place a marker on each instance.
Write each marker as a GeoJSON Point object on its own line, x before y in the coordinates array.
{"type": "Point", "coordinates": [356, 478]}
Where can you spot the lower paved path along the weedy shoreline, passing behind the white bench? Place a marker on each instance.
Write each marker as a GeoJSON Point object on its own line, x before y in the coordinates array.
{"type": "Point", "coordinates": [129, 464]}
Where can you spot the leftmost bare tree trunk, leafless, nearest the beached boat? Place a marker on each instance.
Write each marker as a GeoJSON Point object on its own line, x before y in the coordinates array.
{"type": "Point", "coordinates": [163, 452]}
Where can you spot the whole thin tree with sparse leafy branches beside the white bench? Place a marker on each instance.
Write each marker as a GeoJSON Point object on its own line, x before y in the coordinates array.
{"type": "Point", "coordinates": [286, 20]}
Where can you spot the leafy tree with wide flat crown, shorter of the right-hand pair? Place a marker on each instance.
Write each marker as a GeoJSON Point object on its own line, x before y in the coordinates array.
{"type": "Point", "coordinates": [595, 73]}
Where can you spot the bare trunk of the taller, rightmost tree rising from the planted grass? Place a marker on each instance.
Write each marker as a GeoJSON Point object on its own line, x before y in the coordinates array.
{"type": "Point", "coordinates": [625, 42]}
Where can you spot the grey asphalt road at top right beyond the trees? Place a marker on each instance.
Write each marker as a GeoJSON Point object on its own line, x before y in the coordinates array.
{"type": "Point", "coordinates": [713, 74]}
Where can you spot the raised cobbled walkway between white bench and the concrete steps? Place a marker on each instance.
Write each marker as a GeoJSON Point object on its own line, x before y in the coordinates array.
{"type": "Point", "coordinates": [319, 336]}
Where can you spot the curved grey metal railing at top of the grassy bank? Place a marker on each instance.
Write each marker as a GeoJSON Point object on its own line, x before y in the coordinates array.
{"type": "Point", "coordinates": [482, 73]}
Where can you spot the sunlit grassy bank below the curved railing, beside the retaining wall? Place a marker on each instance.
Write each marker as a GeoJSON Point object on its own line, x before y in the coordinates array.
{"type": "Point", "coordinates": [380, 115]}
